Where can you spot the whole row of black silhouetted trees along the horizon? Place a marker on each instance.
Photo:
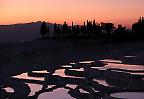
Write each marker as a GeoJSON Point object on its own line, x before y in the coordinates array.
{"type": "Point", "coordinates": [91, 29]}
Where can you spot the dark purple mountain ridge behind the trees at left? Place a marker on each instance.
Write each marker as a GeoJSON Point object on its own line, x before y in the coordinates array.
{"type": "Point", "coordinates": [21, 31]}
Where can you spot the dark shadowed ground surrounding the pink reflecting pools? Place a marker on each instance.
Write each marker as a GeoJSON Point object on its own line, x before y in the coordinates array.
{"type": "Point", "coordinates": [50, 55]}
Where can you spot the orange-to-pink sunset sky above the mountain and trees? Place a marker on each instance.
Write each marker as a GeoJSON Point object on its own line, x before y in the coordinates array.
{"type": "Point", "coordinates": [118, 11]}
